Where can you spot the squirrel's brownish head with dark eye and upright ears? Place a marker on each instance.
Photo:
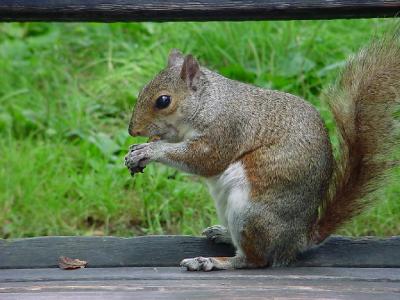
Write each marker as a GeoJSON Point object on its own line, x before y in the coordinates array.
{"type": "Point", "coordinates": [164, 103]}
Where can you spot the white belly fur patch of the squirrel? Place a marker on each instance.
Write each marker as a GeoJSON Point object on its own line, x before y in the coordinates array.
{"type": "Point", "coordinates": [230, 191]}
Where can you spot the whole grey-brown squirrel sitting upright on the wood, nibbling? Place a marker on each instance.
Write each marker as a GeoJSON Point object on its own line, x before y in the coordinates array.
{"type": "Point", "coordinates": [266, 155]}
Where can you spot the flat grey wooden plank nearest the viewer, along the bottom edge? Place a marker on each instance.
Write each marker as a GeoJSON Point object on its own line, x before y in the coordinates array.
{"type": "Point", "coordinates": [172, 283]}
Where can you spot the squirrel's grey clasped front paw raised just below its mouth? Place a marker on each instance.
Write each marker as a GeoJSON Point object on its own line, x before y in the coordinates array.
{"type": "Point", "coordinates": [138, 157]}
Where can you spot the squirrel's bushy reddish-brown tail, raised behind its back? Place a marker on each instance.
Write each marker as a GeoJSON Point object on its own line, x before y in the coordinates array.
{"type": "Point", "coordinates": [363, 103]}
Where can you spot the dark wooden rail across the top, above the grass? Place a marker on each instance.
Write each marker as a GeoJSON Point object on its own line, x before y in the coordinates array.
{"type": "Point", "coordinates": [188, 10]}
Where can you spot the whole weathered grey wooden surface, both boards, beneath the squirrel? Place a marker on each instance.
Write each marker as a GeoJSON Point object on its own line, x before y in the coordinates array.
{"type": "Point", "coordinates": [146, 268]}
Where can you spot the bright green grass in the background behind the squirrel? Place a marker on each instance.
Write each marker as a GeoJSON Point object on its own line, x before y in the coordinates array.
{"type": "Point", "coordinates": [67, 92]}
